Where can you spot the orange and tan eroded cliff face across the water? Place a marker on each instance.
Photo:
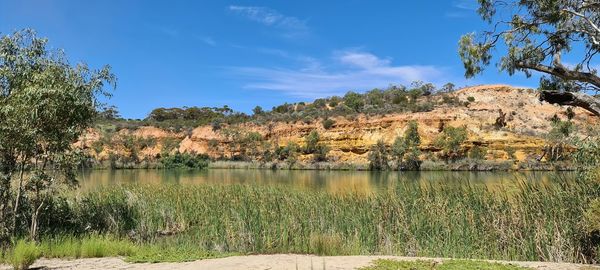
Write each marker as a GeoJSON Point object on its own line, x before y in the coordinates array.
{"type": "Point", "coordinates": [526, 122]}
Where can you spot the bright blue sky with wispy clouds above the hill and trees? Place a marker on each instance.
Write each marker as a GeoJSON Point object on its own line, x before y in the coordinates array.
{"type": "Point", "coordinates": [247, 53]}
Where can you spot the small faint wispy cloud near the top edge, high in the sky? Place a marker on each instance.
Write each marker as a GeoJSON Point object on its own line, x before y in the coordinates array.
{"type": "Point", "coordinates": [292, 27]}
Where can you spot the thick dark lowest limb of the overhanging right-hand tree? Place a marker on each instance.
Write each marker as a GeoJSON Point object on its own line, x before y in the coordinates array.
{"type": "Point", "coordinates": [585, 101]}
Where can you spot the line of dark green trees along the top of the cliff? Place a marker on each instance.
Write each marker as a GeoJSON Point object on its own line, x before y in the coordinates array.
{"type": "Point", "coordinates": [418, 97]}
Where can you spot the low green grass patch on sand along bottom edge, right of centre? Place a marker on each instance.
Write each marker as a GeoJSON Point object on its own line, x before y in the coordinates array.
{"type": "Point", "coordinates": [432, 265]}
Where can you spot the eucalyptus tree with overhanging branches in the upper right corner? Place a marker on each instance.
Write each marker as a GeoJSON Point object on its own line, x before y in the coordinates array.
{"type": "Point", "coordinates": [536, 35]}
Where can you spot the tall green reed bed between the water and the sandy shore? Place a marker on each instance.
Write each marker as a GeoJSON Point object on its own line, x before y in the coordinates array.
{"type": "Point", "coordinates": [534, 222]}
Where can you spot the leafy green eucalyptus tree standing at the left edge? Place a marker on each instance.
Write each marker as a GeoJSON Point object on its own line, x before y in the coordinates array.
{"type": "Point", "coordinates": [45, 105]}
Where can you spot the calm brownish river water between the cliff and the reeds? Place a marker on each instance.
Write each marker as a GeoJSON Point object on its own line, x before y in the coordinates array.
{"type": "Point", "coordinates": [331, 181]}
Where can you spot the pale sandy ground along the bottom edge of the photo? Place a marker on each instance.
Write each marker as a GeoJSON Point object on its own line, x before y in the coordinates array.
{"type": "Point", "coordinates": [262, 262]}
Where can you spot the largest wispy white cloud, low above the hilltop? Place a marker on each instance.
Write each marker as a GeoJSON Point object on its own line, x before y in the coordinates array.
{"type": "Point", "coordinates": [355, 70]}
